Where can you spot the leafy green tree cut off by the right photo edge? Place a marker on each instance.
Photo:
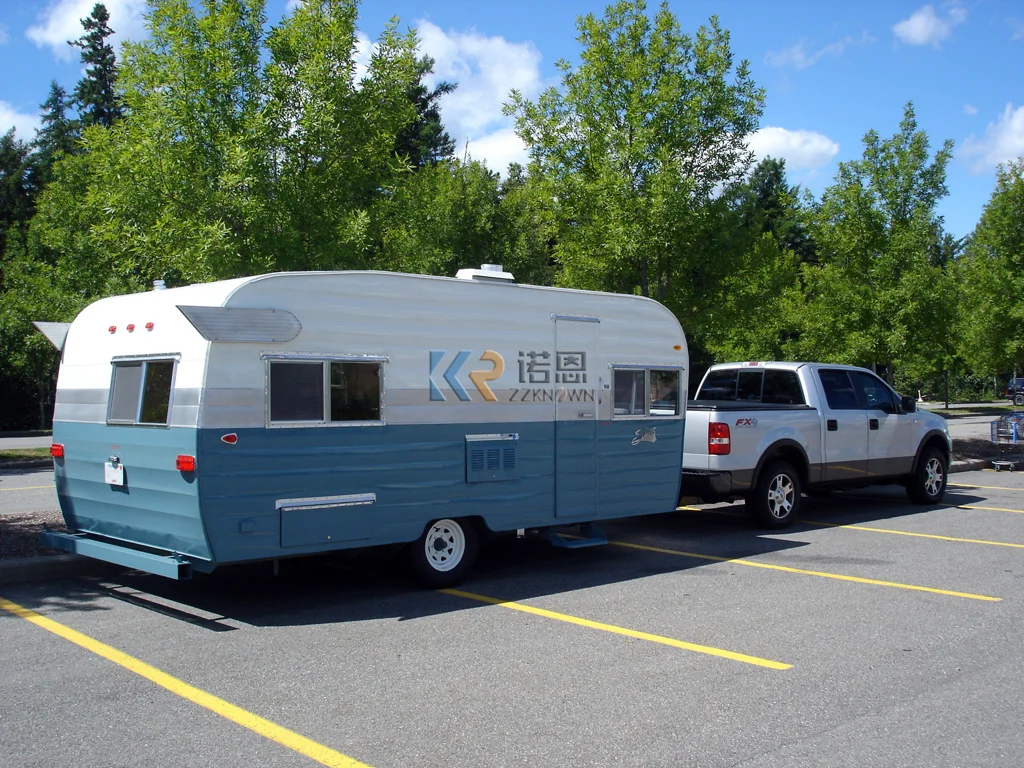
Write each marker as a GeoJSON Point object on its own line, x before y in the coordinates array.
{"type": "Point", "coordinates": [991, 275]}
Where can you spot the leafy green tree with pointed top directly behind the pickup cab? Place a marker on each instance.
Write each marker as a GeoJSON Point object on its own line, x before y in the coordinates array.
{"type": "Point", "coordinates": [878, 297]}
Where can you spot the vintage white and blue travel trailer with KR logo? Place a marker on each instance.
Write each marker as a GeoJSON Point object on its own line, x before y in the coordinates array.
{"type": "Point", "coordinates": [300, 413]}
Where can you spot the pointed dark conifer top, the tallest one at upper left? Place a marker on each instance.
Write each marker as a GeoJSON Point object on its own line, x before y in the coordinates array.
{"type": "Point", "coordinates": [98, 103]}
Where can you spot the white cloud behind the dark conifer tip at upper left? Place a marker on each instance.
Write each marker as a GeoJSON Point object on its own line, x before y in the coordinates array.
{"type": "Point", "coordinates": [63, 22]}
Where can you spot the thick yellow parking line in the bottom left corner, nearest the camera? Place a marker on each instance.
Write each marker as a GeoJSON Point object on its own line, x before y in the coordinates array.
{"type": "Point", "coordinates": [273, 732]}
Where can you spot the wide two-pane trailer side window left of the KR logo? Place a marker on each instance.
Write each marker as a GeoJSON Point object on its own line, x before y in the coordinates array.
{"type": "Point", "coordinates": [325, 392]}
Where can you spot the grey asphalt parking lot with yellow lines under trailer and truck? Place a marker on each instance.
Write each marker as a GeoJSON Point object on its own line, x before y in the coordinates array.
{"type": "Point", "coordinates": [877, 633]}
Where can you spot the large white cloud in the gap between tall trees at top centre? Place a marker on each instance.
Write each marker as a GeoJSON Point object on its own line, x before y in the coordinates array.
{"type": "Point", "coordinates": [486, 69]}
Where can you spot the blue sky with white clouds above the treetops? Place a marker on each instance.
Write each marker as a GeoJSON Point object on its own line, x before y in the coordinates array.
{"type": "Point", "coordinates": [832, 71]}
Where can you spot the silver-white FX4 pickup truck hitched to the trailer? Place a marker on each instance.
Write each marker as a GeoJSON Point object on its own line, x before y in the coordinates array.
{"type": "Point", "coordinates": [767, 433]}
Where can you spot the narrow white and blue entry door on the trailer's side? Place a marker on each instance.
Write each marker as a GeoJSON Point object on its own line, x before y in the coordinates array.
{"type": "Point", "coordinates": [576, 416]}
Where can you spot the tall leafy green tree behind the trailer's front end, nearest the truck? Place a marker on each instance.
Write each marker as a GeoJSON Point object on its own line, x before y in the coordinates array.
{"type": "Point", "coordinates": [632, 150]}
